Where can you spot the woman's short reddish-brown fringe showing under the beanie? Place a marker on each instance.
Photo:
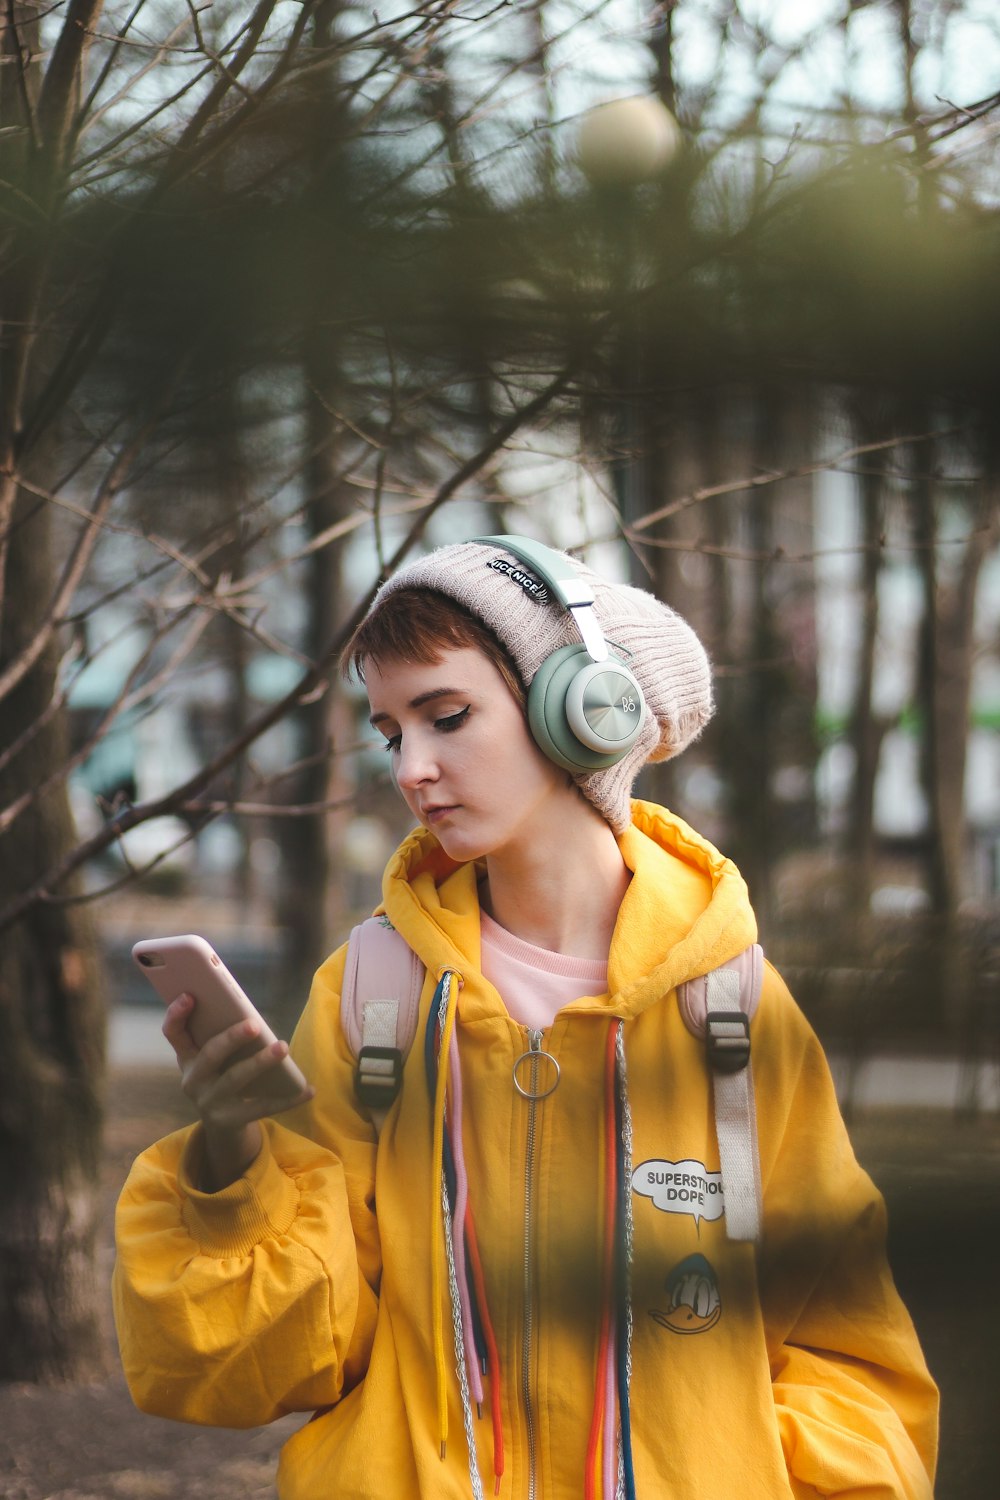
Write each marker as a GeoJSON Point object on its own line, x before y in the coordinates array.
{"type": "Point", "coordinates": [421, 625]}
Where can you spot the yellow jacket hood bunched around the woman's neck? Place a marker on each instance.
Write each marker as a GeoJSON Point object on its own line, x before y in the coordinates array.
{"type": "Point", "coordinates": [687, 910]}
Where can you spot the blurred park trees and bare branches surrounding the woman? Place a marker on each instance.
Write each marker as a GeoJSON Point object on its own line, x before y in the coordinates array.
{"type": "Point", "coordinates": [292, 290]}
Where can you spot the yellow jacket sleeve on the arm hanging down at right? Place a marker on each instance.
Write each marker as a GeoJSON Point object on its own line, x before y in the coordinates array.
{"type": "Point", "coordinates": [857, 1408]}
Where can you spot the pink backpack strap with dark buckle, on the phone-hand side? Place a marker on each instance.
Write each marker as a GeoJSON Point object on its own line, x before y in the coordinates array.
{"type": "Point", "coordinates": [380, 1001]}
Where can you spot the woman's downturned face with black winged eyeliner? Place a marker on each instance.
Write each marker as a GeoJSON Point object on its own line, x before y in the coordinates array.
{"type": "Point", "coordinates": [463, 754]}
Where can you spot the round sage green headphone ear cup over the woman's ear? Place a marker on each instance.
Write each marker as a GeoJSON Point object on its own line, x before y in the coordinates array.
{"type": "Point", "coordinates": [584, 715]}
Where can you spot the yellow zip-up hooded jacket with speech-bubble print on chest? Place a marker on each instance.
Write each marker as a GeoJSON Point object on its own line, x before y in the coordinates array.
{"type": "Point", "coordinates": [782, 1370]}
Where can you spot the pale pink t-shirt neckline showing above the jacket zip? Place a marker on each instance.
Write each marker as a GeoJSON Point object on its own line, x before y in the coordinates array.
{"type": "Point", "coordinates": [534, 983]}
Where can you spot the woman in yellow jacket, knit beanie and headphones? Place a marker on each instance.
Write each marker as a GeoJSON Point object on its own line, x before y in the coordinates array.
{"type": "Point", "coordinates": [630, 1343]}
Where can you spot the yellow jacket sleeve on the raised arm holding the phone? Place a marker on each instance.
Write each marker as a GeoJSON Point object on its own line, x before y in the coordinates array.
{"type": "Point", "coordinates": [238, 1307]}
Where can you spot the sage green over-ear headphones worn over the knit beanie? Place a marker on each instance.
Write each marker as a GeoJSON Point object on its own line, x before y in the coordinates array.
{"type": "Point", "coordinates": [585, 709]}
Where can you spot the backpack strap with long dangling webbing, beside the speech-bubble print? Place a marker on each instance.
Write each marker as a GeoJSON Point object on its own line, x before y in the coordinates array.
{"type": "Point", "coordinates": [719, 1007]}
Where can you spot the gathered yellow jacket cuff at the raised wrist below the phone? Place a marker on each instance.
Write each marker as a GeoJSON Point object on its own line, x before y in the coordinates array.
{"type": "Point", "coordinates": [260, 1205]}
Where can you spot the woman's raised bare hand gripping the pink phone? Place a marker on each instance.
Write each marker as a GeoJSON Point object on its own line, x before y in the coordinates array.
{"type": "Point", "coordinates": [218, 1088]}
